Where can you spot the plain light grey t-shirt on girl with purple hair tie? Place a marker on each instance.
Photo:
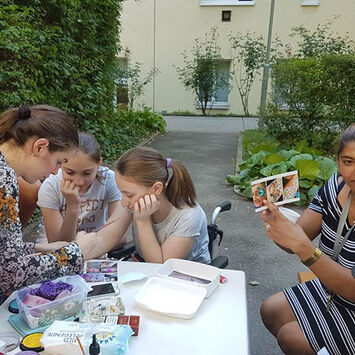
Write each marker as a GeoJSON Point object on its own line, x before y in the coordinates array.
{"type": "Point", "coordinates": [190, 222]}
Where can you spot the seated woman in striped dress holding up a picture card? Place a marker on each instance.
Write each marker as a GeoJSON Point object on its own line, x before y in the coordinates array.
{"type": "Point", "coordinates": [319, 313]}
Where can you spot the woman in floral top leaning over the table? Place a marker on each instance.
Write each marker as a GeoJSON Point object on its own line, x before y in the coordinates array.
{"type": "Point", "coordinates": [34, 142]}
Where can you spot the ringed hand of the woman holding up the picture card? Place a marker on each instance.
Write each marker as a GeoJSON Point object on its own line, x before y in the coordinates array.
{"type": "Point", "coordinates": [282, 231]}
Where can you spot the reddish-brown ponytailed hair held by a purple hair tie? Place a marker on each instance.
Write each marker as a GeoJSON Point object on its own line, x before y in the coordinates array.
{"type": "Point", "coordinates": [146, 166]}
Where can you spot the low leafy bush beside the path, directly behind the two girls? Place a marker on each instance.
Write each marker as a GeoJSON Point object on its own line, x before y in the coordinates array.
{"type": "Point", "coordinates": [123, 130]}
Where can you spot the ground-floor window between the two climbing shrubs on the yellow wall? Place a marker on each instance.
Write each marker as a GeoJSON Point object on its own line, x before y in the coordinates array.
{"type": "Point", "coordinates": [220, 97]}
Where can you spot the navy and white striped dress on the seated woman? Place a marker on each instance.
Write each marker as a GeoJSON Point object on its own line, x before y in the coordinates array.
{"type": "Point", "coordinates": [334, 330]}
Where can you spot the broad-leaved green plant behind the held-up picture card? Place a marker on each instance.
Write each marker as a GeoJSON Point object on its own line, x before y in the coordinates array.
{"type": "Point", "coordinates": [313, 169]}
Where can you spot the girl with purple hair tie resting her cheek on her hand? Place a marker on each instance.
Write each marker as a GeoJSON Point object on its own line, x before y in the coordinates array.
{"type": "Point", "coordinates": [160, 196]}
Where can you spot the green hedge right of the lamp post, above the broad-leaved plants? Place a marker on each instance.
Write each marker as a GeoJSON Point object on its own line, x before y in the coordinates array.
{"type": "Point", "coordinates": [319, 94]}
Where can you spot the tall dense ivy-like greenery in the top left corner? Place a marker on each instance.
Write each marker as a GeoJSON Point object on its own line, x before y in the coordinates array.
{"type": "Point", "coordinates": [60, 53]}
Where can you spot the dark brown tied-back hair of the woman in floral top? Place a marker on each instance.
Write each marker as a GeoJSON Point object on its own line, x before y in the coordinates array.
{"type": "Point", "coordinates": [42, 121]}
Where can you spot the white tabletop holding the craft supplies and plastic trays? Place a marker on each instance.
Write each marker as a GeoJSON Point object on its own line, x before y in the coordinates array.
{"type": "Point", "coordinates": [219, 326]}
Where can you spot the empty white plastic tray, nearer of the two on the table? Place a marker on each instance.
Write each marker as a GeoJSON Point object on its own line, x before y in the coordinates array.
{"type": "Point", "coordinates": [170, 297]}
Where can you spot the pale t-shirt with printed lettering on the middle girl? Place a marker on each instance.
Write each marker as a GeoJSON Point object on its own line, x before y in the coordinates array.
{"type": "Point", "coordinates": [93, 206]}
